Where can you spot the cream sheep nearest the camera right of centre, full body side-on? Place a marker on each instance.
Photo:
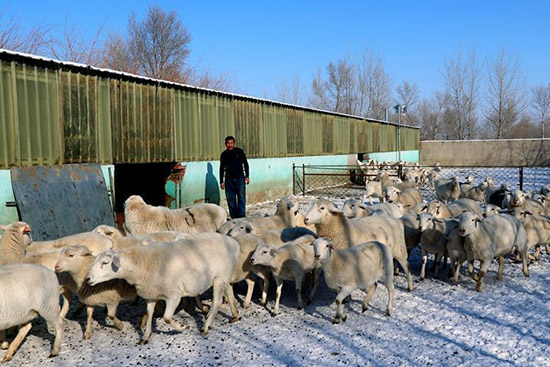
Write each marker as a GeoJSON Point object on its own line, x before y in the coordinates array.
{"type": "Point", "coordinates": [359, 267]}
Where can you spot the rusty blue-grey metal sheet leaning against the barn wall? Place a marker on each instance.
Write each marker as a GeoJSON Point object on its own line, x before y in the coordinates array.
{"type": "Point", "coordinates": [61, 200]}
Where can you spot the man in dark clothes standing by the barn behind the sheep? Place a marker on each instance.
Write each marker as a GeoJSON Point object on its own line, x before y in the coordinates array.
{"type": "Point", "coordinates": [233, 176]}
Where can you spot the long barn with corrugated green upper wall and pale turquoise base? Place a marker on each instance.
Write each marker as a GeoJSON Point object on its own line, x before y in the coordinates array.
{"type": "Point", "coordinates": [58, 113]}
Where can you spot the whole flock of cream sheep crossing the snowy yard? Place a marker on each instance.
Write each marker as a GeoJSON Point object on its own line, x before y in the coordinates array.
{"type": "Point", "coordinates": [170, 254]}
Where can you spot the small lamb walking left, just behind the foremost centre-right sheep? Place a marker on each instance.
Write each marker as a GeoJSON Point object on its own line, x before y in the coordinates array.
{"type": "Point", "coordinates": [289, 262]}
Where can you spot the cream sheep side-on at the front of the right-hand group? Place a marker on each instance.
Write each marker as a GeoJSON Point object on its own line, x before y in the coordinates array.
{"type": "Point", "coordinates": [491, 238]}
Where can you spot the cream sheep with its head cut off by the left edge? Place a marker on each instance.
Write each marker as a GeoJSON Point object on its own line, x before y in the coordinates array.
{"type": "Point", "coordinates": [28, 291]}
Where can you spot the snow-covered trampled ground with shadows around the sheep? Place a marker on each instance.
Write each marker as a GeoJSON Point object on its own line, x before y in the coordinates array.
{"type": "Point", "coordinates": [437, 324]}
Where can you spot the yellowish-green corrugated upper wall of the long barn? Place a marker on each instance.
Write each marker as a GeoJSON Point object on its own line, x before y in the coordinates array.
{"type": "Point", "coordinates": [51, 113]}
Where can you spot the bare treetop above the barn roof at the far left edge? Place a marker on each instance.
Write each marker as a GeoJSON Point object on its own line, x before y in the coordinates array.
{"type": "Point", "coordinates": [14, 37]}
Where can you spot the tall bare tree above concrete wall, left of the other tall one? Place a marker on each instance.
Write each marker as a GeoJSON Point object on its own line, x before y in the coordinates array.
{"type": "Point", "coordinates": [462, 77]}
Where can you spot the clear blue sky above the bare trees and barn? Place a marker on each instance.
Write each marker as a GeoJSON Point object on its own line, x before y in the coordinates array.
{"type": "Point", "coordinates": [258, 43]}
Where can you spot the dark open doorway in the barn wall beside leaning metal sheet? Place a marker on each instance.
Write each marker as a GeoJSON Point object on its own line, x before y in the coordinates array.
{"type": "Point", "coordinates": [144, 179]}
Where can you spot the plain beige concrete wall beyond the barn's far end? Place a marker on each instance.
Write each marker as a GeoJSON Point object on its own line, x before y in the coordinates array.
{"type": "Point", "coordinates": [488, 153]}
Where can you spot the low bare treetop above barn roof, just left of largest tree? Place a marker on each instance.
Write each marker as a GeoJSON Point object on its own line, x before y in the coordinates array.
{"type": "Point", "coordinates": [71, 45]}
